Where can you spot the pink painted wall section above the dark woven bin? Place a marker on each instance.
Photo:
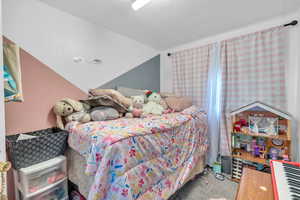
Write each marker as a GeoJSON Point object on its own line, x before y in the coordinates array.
{"type": "Point", "coordinates": [42, 87]}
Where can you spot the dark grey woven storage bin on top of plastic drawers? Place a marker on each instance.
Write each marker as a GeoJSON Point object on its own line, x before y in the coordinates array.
{"type": "Point", "coordinates": [48, 144]}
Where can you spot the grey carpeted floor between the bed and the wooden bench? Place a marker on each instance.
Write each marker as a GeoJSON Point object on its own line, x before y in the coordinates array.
{"type": "Point", "coordinates": [207, 187]}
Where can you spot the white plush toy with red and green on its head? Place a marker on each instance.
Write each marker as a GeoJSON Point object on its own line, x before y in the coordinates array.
{"type": "Point", "coordinates": [153, 106]}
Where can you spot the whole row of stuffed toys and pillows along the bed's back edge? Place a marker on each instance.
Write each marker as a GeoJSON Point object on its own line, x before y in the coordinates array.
{"type": "Point", "coordinates": [109, 104]}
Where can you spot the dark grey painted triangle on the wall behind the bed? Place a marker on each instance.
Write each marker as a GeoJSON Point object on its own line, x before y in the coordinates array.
{"type": "Point", "coordinates": [145, 76]}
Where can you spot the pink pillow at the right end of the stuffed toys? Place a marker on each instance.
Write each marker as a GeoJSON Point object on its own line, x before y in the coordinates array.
{"type": "Point", "coordinates": [179, 103]}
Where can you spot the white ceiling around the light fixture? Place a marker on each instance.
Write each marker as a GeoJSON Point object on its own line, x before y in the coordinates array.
{"type": "Point", "coordinates": [163, 24]}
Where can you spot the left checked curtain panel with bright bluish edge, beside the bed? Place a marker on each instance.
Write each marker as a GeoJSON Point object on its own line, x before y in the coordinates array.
{"type": "Point", "coordinates": [196, 73]}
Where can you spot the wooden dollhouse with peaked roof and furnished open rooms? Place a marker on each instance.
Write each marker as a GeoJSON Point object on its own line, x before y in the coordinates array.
{"type": "Point", "coordinates": [259, 133]}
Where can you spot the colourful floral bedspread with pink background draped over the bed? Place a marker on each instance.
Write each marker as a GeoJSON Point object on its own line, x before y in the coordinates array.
{"type": "Point", "coordinates": [145, 159]}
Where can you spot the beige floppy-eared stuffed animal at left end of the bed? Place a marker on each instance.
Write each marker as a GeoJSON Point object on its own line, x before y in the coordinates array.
{"type": "Point", "coordinates": [66, 107]}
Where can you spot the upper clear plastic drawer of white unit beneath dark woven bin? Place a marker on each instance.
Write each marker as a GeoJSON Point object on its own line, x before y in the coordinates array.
{"type": "Point", "coordinates": [36, 177]}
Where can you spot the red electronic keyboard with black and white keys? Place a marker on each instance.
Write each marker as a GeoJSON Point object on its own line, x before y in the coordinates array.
{"type": "Point", "coordinates": [286, 180]}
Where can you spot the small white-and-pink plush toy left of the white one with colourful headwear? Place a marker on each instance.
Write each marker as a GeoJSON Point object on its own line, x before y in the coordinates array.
{"type": "Point", "coordinates": [136, 109]}
